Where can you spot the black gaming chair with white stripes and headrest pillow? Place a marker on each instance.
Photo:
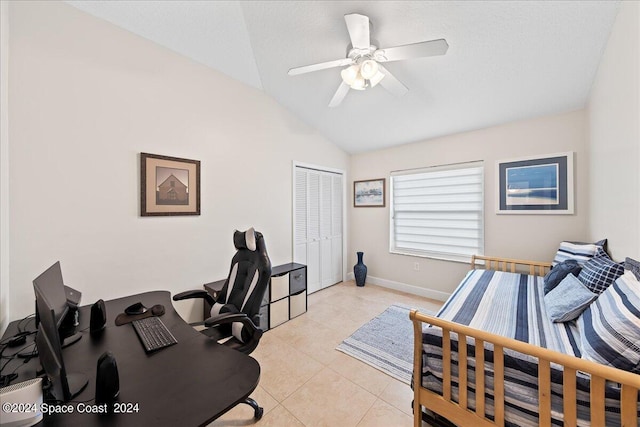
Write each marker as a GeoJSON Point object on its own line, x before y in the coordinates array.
{"type": "Point", "coordinates": [234, 315]}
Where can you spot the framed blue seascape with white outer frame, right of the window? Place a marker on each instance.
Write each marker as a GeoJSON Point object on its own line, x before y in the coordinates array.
{"type": "Point", "coordinates": [536, 185]}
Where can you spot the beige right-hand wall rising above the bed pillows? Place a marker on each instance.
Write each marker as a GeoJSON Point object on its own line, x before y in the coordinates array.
{"type": "Point", "coordinates": [614, 138]}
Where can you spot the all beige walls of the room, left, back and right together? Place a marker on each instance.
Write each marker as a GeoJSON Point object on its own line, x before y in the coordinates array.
{"type": "Point", "coordinates": [86, 97]}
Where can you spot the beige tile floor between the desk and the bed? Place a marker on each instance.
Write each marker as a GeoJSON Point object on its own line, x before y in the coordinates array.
{"type": "Point", "coordinates": [306, 382]}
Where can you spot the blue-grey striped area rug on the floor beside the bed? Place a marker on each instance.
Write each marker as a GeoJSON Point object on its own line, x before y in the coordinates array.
{"type": "Point", "coordinates": [385, 342]}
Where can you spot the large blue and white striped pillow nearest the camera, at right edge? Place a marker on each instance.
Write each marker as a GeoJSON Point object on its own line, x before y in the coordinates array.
{"type": "Point", "coordinates": [610, 327]}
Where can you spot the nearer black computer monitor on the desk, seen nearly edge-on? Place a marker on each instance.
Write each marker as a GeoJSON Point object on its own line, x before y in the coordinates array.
{"type": "Point", "coordinates": [64, 386]}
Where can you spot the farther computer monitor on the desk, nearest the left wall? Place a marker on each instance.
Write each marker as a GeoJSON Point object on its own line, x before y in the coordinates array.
{"type": "Point", "coordinates": [51, 285]}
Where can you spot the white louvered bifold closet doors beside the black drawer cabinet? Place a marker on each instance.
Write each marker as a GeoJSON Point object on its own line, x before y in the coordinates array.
{"type": "Point", "coordinates": [318, 239]}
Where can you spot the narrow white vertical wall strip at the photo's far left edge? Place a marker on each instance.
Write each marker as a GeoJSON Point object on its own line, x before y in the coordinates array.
{"type": "Point", "coordinates": [4, 166]}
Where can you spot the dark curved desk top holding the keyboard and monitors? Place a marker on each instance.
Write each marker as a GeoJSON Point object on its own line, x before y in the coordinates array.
{"type": "Point", "coordinates": [188, 384]}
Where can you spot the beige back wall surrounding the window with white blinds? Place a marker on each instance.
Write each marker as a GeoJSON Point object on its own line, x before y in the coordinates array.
{"type": "Point", "coordinates": [517, 236]}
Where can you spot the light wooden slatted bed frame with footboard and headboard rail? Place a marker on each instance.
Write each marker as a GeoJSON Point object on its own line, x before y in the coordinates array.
{"type": "Point", "coordinates": [460, 414]}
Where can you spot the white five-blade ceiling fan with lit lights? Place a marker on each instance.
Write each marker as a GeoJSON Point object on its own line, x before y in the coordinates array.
{"type": "Point", "coordinates": [364, 60]}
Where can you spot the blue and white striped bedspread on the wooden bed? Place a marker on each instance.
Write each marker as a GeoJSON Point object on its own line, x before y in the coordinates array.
{"type": "Point", "coordinates": [511, 305]}
